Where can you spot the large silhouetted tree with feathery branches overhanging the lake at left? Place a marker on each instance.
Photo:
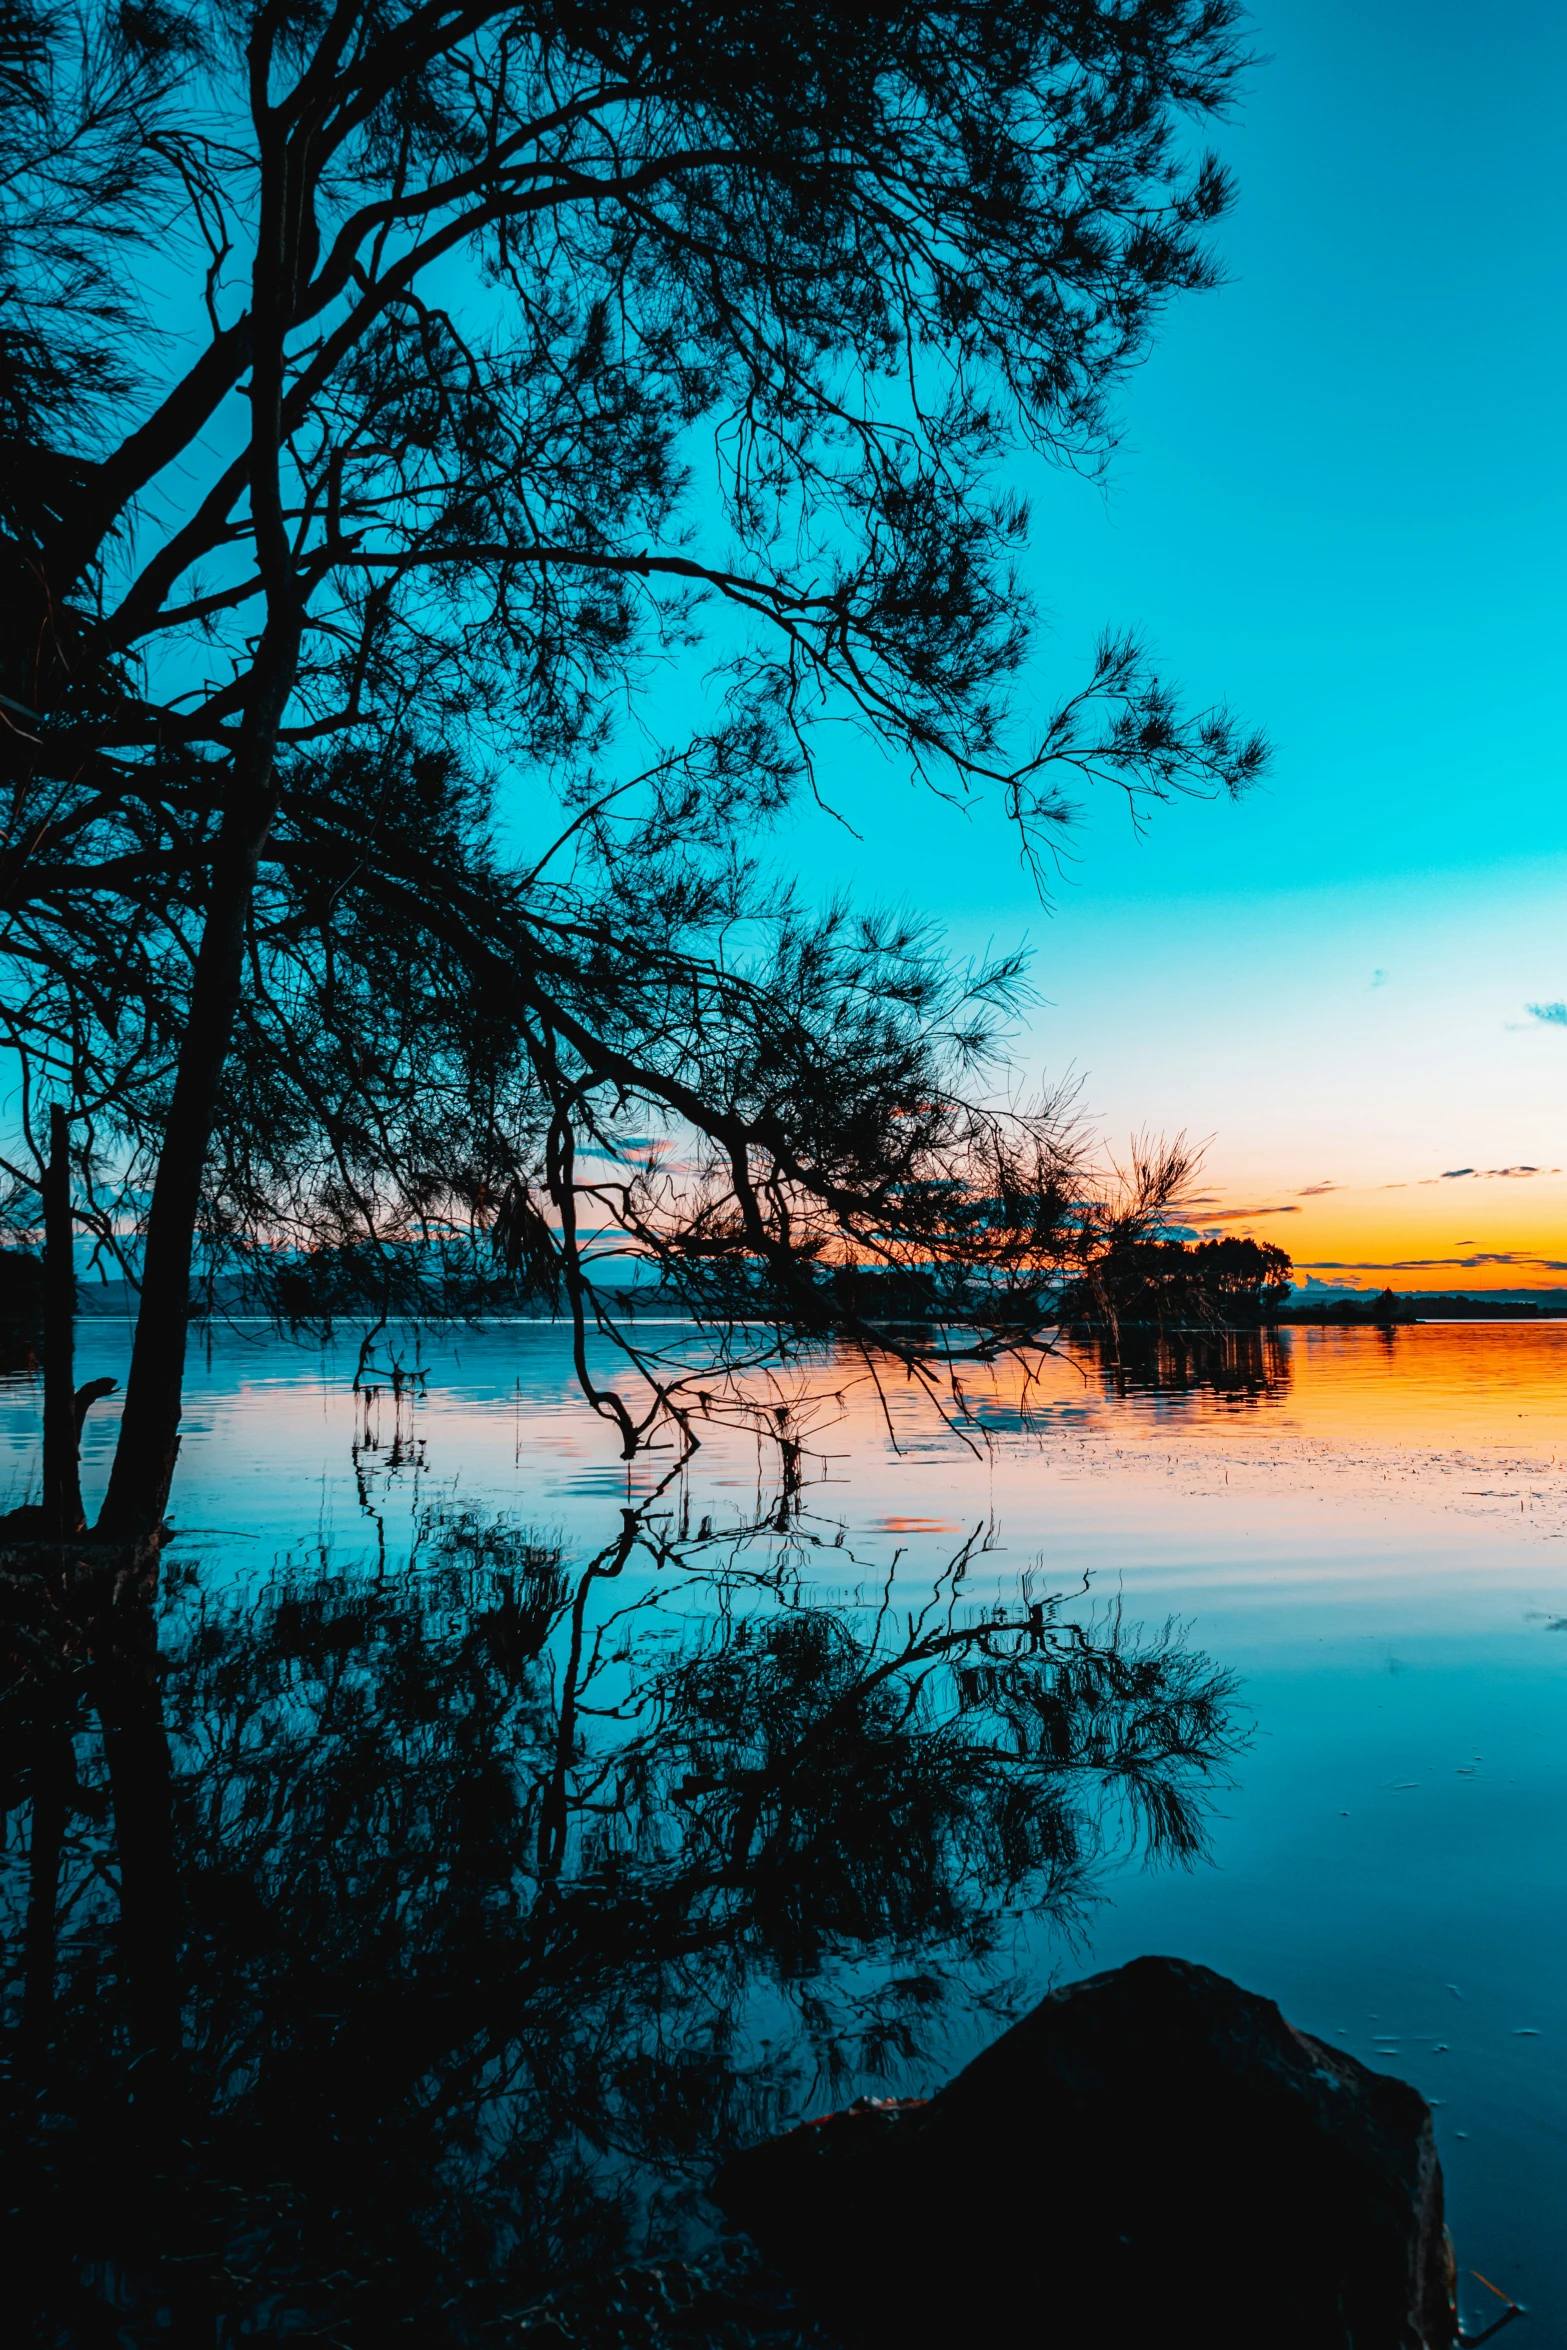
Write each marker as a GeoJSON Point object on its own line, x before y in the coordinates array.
{"type": "Point", "coordinates": [394, 394]}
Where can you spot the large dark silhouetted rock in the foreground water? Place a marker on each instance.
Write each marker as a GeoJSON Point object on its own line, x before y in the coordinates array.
{"type": "Point", "coordinates": [1150, 2158]}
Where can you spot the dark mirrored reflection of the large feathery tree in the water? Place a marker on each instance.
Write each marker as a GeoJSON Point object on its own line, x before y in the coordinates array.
{"type": "Point", "coordinates": [386, 1952]}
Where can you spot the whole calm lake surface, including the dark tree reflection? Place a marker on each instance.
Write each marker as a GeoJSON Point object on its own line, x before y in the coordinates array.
{"type": "Point", "coordinates": [485, 1839]}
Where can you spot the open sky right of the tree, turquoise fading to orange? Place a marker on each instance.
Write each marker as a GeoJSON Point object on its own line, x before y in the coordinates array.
{"type": "Point", "coordinates": [1340, 504]}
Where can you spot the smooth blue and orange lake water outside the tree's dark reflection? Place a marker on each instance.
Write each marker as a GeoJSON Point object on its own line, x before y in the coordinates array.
{"type": "Point", "coordinates": [1371, 1533]}
